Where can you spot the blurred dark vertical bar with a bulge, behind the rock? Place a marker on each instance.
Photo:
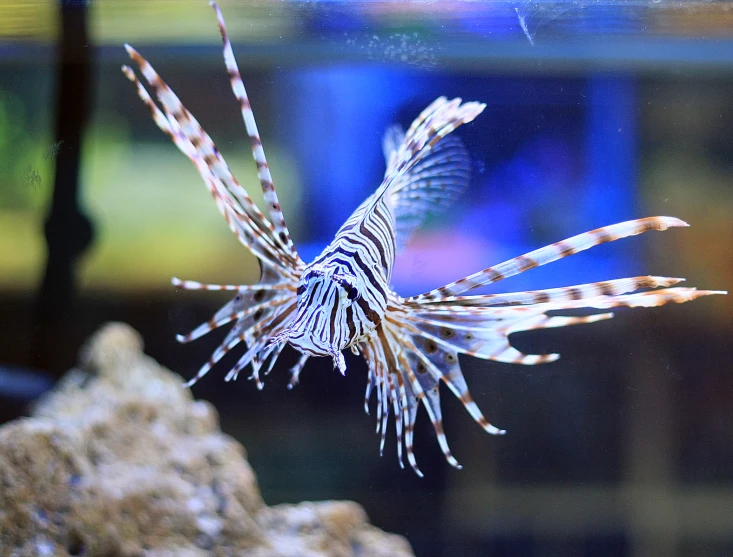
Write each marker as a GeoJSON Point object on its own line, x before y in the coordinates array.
{"type": "Point", "coordinates": [68, 231]}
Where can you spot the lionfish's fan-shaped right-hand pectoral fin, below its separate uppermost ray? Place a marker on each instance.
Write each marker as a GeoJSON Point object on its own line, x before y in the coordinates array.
{"type": "Point", "coordinates": [417, 346]}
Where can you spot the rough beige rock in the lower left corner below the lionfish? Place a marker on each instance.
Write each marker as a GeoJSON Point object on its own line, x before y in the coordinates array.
{"type": "Point", "coordinates": [120, 460]}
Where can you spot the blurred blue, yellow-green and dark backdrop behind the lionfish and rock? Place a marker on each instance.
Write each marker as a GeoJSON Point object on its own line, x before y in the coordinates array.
{"type": "Point", "coordinates": [597, 112]}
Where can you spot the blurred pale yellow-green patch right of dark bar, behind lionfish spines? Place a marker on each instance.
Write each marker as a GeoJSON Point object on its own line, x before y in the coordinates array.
{"type": "Point", "coordinates": [154, 225]}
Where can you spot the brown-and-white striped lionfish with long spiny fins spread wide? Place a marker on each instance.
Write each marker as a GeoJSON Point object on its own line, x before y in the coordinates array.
{"type": "Point", "coordinates": [343, 298]}
